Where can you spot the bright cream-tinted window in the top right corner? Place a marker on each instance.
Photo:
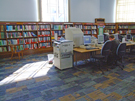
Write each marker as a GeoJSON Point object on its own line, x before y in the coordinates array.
{"type": "Point", "coordinates": [125, 11]}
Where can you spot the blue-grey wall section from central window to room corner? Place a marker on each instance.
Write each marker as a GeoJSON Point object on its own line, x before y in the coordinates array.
{"type": "Point", "coordinates": [84, 10]}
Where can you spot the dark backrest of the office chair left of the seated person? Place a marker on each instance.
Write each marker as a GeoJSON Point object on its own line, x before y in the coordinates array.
{"type": "Point", "coordinates": [105, 51]}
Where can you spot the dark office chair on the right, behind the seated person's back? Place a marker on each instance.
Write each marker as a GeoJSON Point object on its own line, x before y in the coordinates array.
{"type": "Point", "coordinates": [120, 53]}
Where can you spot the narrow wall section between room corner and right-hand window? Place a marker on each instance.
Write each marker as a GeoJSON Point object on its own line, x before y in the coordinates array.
{"type": "Point", "coordinates": [107, 10]}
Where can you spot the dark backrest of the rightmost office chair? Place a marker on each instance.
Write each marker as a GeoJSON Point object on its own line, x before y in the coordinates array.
{"type": "Point", "coordinates": [121, 49]}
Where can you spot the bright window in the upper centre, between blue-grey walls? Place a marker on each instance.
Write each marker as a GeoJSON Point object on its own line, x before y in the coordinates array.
{"type": "Point", "coordinates": [54, 10]}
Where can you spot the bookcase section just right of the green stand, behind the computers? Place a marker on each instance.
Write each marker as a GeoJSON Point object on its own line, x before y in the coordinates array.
{"type": "Point", "coordinates": [110, 28]}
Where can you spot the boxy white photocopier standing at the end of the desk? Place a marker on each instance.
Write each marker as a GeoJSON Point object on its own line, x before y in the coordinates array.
{"type": "Point", "coordinates": [63, 54]}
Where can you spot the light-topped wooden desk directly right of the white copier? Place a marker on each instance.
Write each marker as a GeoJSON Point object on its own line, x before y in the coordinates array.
{"type": "Point", "coordinates": [81, 54]}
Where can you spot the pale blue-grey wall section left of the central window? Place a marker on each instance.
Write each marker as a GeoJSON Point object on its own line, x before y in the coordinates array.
{"type": "Point", "coordinates": [18, 10]}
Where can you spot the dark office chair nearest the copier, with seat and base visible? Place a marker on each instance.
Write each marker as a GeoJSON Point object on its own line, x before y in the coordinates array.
{"type": "Point", "coordinates": [105, 51]}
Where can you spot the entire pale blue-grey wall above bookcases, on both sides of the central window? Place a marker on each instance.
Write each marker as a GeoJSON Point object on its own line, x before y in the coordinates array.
{"type": "Point", "coordinates": [80, 10]}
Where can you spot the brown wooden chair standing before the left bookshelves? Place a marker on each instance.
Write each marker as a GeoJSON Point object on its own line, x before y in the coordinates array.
{"type": "Point", "coordinates": [15, 50]}
